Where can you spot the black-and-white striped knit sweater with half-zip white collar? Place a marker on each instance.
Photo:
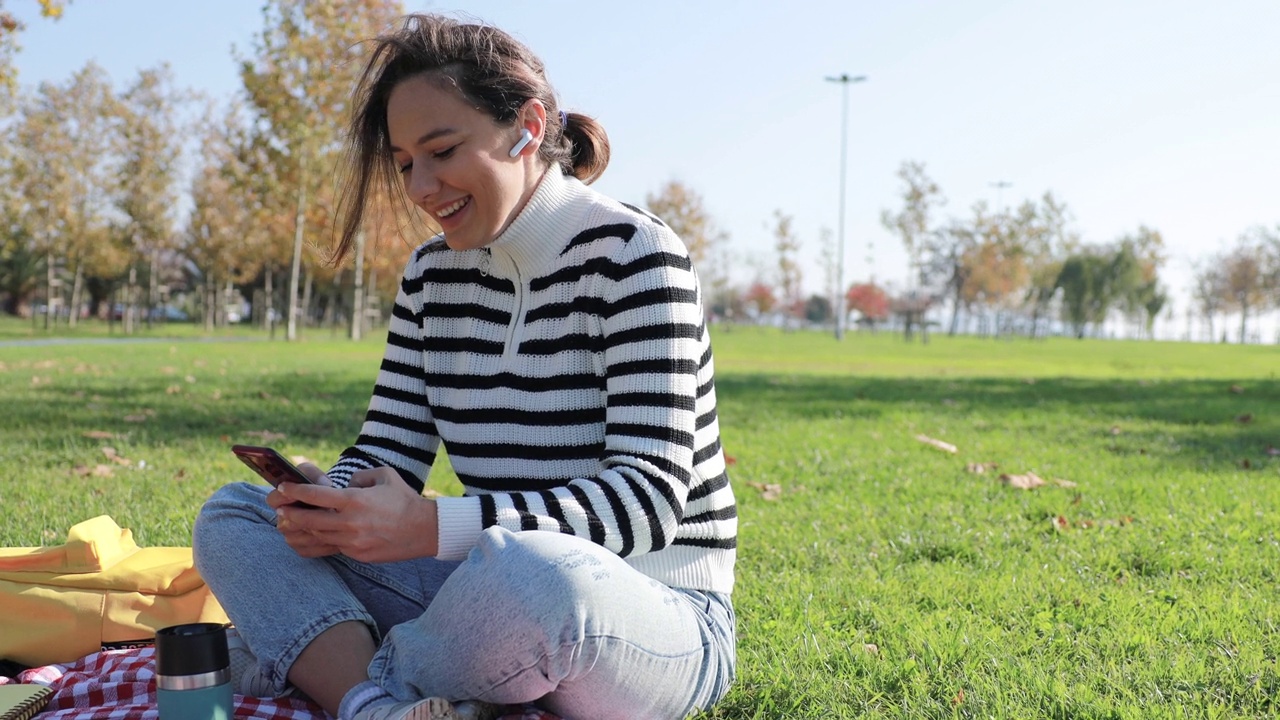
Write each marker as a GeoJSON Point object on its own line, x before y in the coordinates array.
{"type": "Point", "coordinates": [568, 371]}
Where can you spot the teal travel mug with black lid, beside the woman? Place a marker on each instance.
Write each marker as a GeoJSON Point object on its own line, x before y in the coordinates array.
{"type": "Point", "coordinates": [194, 676]}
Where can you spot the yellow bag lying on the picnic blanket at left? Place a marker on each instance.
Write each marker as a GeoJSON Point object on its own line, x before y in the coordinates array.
{"type": "Point", "coordinates": [100, 590]}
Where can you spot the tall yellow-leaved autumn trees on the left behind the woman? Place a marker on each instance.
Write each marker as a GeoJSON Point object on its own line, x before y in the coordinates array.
{"type": "Point", "coordinates": [121, 204]}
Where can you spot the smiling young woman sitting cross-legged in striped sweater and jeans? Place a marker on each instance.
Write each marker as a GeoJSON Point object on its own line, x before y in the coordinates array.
{"type": "Point", "coordinates": [554, 340]}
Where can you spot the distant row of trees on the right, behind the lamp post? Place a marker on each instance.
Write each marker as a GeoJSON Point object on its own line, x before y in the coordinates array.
{"type": "Point", "coordinates": [1009, 271]}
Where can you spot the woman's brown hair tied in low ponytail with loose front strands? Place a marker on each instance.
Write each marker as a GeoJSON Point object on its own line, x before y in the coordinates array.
{"type": "Point", "coordinates": [491, 70]}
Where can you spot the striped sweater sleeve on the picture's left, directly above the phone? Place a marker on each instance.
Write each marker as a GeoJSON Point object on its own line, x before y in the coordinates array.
{"type": "Point", "coordinates": [399, 431]}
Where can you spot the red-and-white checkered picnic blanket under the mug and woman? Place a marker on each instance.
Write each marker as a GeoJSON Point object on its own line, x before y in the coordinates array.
{"type": "Point", "coordinates": [120, 685]}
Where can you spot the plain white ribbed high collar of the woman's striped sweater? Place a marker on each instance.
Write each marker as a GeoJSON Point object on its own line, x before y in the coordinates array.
{"type": "Point", "coordinates": [540, 233]}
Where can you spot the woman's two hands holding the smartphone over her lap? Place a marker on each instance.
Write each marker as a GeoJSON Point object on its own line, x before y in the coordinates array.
{"type": "Point", "coordinates": [378, 518]}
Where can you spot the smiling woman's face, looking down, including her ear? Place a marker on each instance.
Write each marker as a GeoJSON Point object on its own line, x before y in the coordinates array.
{"type": "Point", "coordinates": [455, 162]}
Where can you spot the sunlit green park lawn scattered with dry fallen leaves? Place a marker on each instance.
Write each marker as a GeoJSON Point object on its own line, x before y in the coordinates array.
{"type": "Point", "coordinates": [1159, 600]}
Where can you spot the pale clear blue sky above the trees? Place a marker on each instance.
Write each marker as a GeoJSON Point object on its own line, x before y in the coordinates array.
{"type": "Point", "coordinates": [1133, 112]}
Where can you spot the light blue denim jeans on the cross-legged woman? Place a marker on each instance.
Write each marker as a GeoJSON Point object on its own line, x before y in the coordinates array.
{"type": "Point", "coordinates": [527, 617]}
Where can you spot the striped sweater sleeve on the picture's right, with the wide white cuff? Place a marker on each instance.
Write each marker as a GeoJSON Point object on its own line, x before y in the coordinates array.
{"type": "Point", "coordinates": [653, 341]}
